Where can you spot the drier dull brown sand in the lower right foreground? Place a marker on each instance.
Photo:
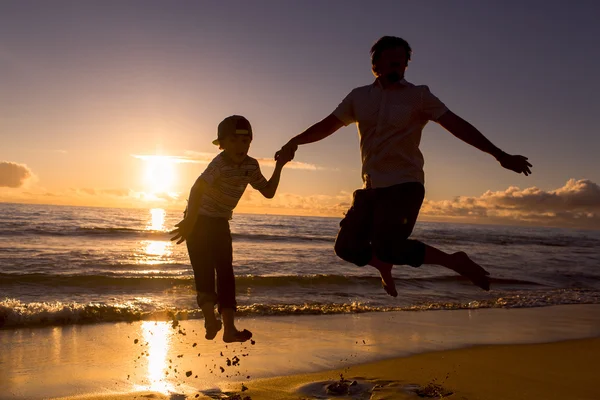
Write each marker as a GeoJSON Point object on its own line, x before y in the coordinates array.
{"type": "Point", "coordinates": [561, 370]}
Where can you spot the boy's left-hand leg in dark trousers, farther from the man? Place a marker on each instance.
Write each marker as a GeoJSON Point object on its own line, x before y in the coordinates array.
{"type": "Point", "coordinates": [203, 264]}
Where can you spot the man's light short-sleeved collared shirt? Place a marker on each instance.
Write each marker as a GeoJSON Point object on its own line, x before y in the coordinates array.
{"type": "Point", "coordinates": [390, 122]}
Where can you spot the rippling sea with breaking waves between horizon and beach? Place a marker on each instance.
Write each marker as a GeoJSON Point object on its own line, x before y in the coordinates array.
{"type": "Point", "coordinates": [63, 265]}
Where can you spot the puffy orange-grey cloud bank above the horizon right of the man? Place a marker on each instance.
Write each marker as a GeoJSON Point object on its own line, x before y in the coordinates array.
{"type": "Point", "coordinates": [577, 203]}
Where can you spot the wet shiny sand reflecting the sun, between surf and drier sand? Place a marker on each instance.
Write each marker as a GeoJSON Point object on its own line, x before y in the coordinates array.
{"type": "Point", "coordinates": [154, 357]}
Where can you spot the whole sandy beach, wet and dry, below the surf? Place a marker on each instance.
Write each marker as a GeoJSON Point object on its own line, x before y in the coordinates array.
{"type": "Point", "coordinates": [475, 354]}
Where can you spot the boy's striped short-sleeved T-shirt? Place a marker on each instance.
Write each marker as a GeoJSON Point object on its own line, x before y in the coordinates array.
{"type": "Point", "coordinates": [227, 182]}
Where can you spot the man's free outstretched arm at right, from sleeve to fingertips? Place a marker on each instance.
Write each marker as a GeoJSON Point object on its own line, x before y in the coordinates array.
{"type": "Point", "coordinates": [469, 134]}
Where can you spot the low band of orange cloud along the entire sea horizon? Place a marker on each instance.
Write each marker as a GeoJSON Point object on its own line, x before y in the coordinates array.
{"type": "Point", "coordinates": [576, 204]}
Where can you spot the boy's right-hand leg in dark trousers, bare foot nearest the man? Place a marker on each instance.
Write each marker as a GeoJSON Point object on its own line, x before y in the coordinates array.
{"type": "Point", "coordinates": [227, 304]}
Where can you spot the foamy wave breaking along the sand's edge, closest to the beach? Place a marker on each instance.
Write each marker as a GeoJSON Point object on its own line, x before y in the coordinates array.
{"type": "Point", "coordinates": [17, 314]}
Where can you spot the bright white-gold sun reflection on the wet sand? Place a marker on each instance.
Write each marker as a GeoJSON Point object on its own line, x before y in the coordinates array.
{"type": "Point", "coordinates": [158, 335]}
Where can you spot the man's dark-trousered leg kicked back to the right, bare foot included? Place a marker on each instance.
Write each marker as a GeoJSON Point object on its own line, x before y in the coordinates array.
{"type": "Point", "coordinates": [395, 214]}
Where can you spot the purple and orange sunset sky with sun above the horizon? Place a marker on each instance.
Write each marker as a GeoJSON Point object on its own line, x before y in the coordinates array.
{"type": "Point", "coordinates": [91, 92]}
